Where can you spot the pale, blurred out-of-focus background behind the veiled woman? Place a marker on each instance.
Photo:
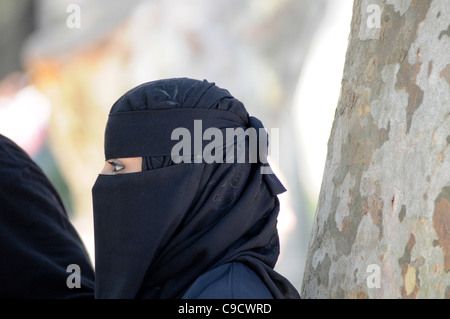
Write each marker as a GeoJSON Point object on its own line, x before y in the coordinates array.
{"type": "Point", "coordinates": [64, 63]}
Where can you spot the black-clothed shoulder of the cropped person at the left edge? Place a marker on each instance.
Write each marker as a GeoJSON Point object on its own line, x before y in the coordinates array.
{"type": "Point", "coordinates": [37, 240]}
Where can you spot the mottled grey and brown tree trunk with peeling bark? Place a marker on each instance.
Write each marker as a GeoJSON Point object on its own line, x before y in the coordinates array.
{"type": "Point", "coordinates": [382, 225]}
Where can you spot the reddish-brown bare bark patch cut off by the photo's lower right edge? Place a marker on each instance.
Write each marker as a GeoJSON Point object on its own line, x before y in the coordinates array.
{"type": "Point", "coordinates": [441, 223]}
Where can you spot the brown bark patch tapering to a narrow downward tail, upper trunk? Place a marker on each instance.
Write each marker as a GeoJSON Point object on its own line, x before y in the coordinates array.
{"type": "Point", "coordinates": [406, 80]}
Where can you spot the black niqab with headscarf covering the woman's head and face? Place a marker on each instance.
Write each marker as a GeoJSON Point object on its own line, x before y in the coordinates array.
{"type": "Point", "coordinates": [158, 230]}
